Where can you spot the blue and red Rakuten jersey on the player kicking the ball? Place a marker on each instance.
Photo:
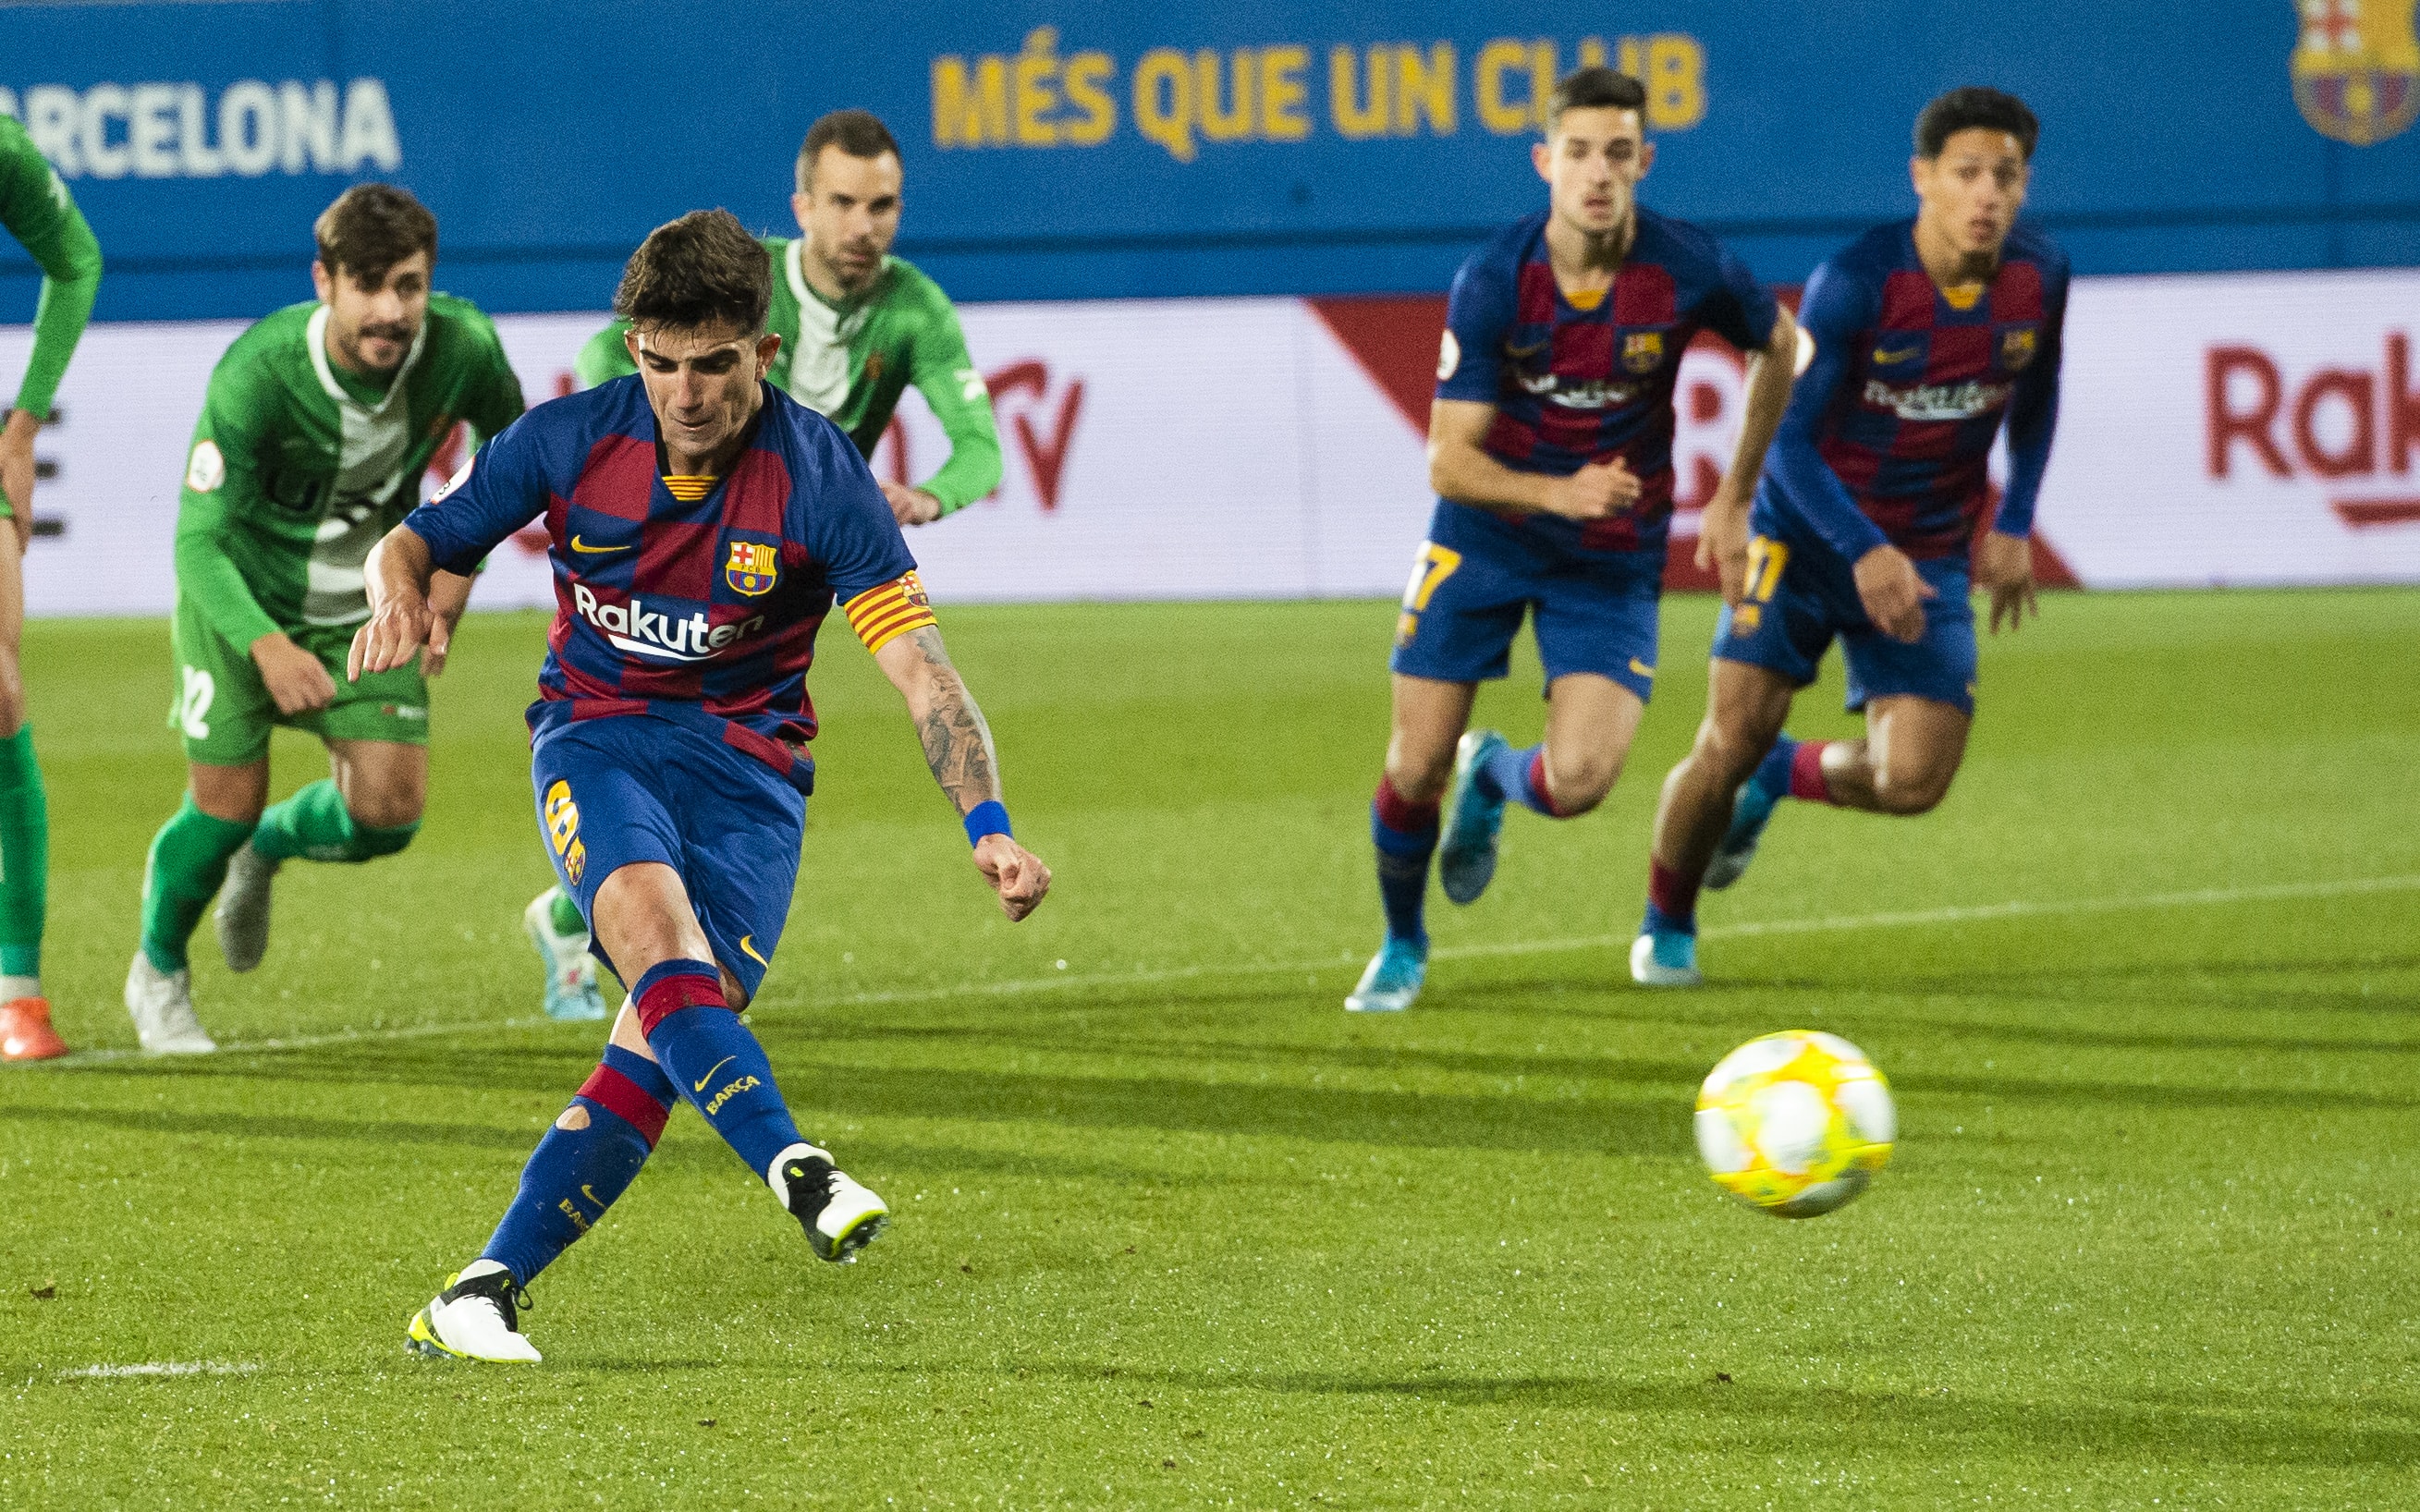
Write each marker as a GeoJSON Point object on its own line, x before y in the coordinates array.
{"type": "Point", "coordinates": [691, 611]}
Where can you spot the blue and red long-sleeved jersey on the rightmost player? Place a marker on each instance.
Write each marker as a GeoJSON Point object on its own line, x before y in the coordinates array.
{"type": "Point", "coordinates": [1889, 434]}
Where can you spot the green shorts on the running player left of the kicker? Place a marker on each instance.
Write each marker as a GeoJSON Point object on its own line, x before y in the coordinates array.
{"type": "Point", "coordinates": [224, 710]}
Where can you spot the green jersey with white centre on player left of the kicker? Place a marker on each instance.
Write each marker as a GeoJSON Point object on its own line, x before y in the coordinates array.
{"type": "Point", "coordinates": [299, 468]}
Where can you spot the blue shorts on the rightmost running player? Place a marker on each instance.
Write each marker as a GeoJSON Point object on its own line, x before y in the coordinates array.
{"type": "Point", "coordinates": [1804, 596]}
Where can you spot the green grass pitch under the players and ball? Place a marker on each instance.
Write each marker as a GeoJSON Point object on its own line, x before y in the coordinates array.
{"type": "Point", "coordinates": [1175, 1230]}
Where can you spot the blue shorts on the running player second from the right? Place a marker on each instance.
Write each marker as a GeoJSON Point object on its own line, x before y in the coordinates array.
{"type": "Point", "coordinates": [1480, 575]}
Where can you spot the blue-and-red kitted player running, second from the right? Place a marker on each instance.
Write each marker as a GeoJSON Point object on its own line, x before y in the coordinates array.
{"type": "Point", "coordinates": [1552, 454]}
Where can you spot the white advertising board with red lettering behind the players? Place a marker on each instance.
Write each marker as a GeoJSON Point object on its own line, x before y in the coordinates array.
{"type": "Point", "coordinates": [2216, 429]}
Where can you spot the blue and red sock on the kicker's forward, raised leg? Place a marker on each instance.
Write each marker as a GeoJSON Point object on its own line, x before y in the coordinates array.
{"type": "Point", "coordinates": [713, 1061]}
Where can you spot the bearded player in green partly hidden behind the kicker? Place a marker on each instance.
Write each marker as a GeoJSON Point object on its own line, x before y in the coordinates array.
{"type": "Point", "coordinates": [858, 328]}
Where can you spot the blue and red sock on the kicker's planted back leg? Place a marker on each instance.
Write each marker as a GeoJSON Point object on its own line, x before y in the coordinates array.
{"type": "Point", "coordinates": [587, 1160]}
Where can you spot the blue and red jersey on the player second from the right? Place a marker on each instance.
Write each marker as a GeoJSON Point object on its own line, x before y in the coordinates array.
{"type": "Point", "coordinates": [1577, 386]}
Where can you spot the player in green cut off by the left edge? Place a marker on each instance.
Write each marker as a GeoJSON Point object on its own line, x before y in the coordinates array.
{"type": "Point", "coordinates": [38, 212]}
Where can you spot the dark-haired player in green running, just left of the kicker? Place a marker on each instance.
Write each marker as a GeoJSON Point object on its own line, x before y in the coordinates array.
{"type": "Point", "coordinates": [311, 446]}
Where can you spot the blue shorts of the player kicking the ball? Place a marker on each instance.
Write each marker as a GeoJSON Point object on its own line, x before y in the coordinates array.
{"type": "Point", "coordinates": [613, 792]}
